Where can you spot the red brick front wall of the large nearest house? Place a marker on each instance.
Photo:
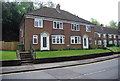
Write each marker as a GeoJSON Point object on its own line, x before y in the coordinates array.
{"type": "Point", "coordinates": [30, 30]}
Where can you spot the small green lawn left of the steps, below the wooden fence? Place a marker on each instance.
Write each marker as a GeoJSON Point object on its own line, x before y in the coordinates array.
{"type": "Point", "coordinates": [8, 55]}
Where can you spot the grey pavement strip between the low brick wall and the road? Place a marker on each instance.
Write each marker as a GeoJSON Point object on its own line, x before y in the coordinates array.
{"type": "Point", "coordinates": [33, 67]}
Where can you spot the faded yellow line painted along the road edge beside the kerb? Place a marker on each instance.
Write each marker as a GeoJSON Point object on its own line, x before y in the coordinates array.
{"type": "Point", "coordinates": [62, 67]}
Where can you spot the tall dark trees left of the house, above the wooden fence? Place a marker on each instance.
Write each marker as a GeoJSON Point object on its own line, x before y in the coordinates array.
{"type": "Point", "coordinates": [11, 17]}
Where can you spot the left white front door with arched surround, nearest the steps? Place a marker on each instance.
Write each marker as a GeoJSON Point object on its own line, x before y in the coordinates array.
{"type": "Point", "coordinates": [45, 41]}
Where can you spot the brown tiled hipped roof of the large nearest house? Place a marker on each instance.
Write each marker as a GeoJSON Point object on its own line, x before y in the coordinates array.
{"type": "Point", "coordinates": [61, 14]}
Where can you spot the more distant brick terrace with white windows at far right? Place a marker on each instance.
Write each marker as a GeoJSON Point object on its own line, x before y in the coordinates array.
{"type": "Point", "coordinates": [106, 36]}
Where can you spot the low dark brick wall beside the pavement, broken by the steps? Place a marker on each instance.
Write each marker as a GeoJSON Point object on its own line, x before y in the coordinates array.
{"type": "Point", "coordinates": [57, 59]}
